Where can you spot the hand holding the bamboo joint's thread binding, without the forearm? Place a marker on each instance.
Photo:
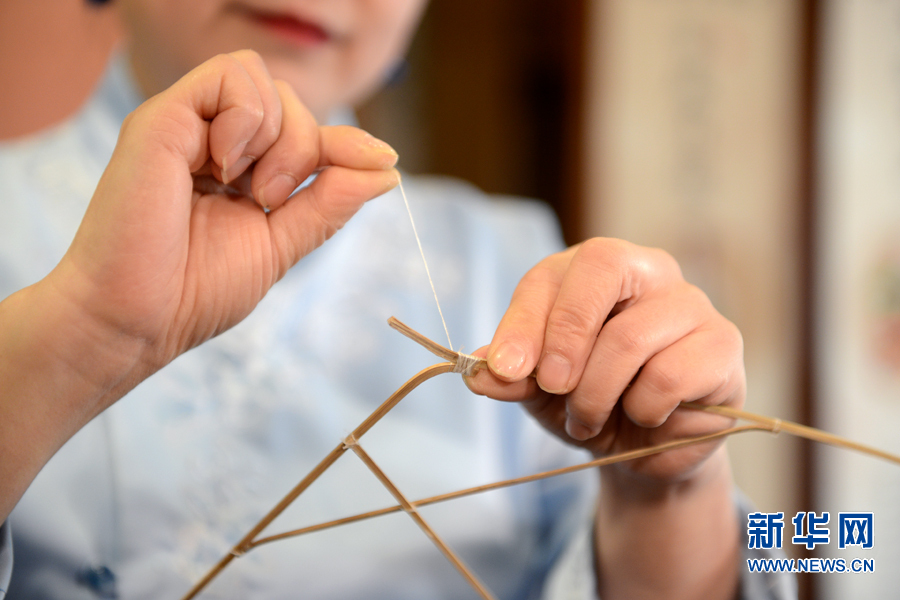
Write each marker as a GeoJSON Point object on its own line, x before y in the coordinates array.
{"type": "Point", "coordinates": [619, 339]}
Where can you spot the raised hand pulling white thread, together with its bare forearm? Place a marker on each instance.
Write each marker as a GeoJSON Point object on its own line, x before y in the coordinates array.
{"type": "Point", "coordinates": [168, 255]}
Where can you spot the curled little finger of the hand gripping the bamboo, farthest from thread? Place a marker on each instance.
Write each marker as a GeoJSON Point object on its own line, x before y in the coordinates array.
{"type": "Point", "coordinates": [706, 365]}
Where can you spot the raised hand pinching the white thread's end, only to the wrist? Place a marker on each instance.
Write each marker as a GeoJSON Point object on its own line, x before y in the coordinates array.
{"type": "Point", "coordinates": [168, 255]}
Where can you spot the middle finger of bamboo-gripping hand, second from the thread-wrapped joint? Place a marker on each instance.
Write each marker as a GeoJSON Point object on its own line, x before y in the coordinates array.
{"type": "Point", "coordinates": [602, 274]}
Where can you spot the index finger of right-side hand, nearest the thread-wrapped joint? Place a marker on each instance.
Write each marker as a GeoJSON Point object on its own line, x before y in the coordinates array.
{"type": "Point", "coordinates": [517, 343]}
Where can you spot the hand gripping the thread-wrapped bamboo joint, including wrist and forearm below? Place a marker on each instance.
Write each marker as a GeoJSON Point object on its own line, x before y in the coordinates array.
{"type": "Point", "coordinates": [619, 339]}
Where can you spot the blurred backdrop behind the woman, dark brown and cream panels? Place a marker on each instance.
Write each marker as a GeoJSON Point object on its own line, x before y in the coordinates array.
{"type": "Point", "coordinates": [758, 141]}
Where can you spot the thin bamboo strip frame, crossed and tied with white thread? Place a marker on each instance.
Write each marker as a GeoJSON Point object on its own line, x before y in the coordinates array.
{"type": "Point", "coordinates": [457, 362]}
